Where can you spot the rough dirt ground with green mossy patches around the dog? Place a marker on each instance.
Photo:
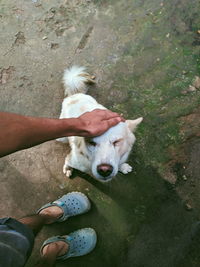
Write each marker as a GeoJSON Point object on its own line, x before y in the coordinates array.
{"type": "Point", "coordinates": [145, 56]}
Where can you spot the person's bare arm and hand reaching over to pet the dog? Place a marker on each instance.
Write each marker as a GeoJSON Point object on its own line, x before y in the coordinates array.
{"type": "Point", "coordinates": [18, 132]}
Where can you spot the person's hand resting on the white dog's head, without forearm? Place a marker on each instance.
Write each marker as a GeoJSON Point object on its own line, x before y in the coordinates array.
{"type": "Point", "coordinates": [96, 122]}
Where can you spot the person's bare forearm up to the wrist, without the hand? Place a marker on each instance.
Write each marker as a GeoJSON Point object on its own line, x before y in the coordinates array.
{"type": "Point", "coordinates": [19, 132]}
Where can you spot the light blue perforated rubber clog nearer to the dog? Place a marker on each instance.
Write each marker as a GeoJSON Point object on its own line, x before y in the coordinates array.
{"type": "Point", "coordinates": [72, 204]}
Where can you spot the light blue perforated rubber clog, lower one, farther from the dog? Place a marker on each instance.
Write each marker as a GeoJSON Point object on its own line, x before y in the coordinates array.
{"type": "Point", "coordinates": [81, 242]}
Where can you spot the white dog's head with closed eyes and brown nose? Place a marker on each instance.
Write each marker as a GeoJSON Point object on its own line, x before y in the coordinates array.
{"type": "Point", "coordinates": [111, 149]}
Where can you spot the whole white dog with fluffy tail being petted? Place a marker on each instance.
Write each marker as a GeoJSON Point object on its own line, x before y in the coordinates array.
{"type": "Point", "coordinates": [103, 156]}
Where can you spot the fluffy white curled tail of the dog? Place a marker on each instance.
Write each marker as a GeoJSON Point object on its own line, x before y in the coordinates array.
{"type": "Point", "coordinates": [76, 79]}
